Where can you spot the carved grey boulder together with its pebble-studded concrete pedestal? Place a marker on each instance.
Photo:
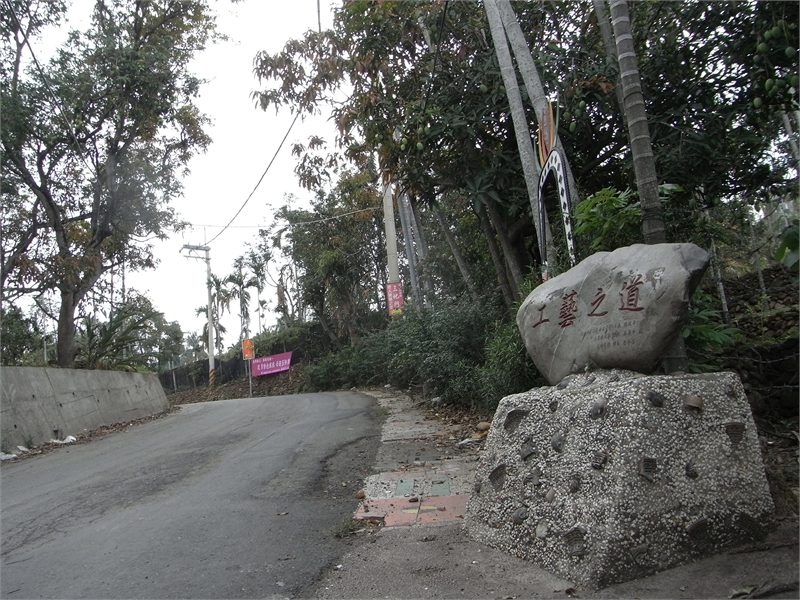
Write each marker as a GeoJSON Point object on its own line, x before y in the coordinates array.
{"type": "Point", "coordinates": [612, 474]}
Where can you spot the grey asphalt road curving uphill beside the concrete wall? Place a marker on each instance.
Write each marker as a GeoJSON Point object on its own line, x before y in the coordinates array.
{"type": "Point", "coordinates": [230, 499]}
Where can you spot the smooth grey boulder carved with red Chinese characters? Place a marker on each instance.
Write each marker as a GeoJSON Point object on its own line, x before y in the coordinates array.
{"type": "Point", "coordinates": [620, 309]}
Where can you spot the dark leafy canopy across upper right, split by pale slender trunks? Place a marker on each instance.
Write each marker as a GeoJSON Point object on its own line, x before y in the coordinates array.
{"type": "Point", "coordinates": [426, 102]}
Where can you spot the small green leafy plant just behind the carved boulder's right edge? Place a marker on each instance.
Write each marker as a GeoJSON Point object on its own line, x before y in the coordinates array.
{"type": "Point", "coordinates": [705, 335]}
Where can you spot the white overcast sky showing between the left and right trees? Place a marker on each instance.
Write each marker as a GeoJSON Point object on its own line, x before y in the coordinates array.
{"type": "Point", "coordinates": [244, 140]}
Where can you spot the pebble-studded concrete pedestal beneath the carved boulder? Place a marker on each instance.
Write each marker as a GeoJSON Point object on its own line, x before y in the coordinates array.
{"type": "Point", "coordinates": [612, 475]}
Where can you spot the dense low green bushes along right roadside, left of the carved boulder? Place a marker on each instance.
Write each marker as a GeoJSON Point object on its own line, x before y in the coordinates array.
{"type": "Point", "coordinates": [464, 353]}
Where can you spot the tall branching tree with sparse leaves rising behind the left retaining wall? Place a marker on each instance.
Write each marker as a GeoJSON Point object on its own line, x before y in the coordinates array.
{"type": "Point", "coordinates": [94, 142]}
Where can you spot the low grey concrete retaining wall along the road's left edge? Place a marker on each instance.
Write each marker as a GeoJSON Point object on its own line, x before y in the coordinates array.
{"type": "Point", "coordinates": [43, 404]}
